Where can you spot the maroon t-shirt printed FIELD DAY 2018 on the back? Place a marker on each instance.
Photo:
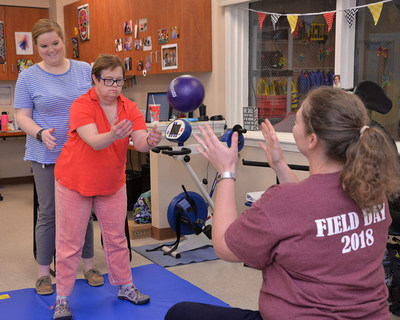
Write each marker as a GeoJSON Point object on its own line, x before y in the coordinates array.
{"type": "Point", "coordinates": [320, 255]}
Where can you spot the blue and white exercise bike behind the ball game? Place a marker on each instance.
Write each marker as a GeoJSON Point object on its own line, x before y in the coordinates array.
{"type": "Point", "coordinates": [190, 213]}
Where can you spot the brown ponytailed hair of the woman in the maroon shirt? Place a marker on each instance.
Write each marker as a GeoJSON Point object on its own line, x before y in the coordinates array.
{"type": "Point", "coordinates": [370, 162]}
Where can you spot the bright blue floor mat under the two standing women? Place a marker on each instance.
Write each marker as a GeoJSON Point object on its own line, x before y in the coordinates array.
{"type": "Point", "coordinates": [90, 303]}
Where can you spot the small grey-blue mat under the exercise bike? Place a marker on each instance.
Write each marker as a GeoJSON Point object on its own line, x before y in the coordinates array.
{"type": "Point", "coordinates": [206, 253]}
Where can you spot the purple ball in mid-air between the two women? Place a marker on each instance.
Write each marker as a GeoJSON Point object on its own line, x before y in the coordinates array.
{"type": "Point", "coordinates": [185, 93]}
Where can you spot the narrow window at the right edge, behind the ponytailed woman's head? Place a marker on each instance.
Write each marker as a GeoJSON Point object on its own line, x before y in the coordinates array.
{"type": "Point", "coordinates": [377, 58]}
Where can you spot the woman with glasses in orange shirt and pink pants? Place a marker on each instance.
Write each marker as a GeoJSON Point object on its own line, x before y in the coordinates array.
{"type": "Point", "coordinates": [90, 171]}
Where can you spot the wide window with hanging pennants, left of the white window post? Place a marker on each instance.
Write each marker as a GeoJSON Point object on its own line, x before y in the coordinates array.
{"type": "Point", "coordinates": [285, 65]}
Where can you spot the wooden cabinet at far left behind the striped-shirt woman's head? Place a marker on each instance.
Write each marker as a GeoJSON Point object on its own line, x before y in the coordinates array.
{"type": "Point", "coordinates": [17, 19]}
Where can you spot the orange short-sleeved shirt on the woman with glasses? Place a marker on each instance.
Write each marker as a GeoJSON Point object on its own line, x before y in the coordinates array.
{"type": "Point", "coordinates": [81, 168]}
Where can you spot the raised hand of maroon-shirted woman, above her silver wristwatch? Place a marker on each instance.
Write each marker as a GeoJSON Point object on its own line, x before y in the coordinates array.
{"type": "Point", "coordinates": [221, 157]}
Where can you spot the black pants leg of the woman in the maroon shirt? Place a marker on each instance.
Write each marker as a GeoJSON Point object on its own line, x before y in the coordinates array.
{"type": "Point", "coordinates": [201, 311]}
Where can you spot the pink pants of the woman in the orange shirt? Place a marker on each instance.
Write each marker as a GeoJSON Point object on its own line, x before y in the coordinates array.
{"type": "Point", "coordinates": [72, 215]}
